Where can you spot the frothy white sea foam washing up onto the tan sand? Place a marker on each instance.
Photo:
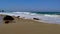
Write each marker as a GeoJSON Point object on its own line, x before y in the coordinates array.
{"type": "Point", "coordinates": [44, 18]}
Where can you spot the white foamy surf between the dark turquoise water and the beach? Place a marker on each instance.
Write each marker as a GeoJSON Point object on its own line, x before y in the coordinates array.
{"type": "Point", "coordinates": [45, 17]}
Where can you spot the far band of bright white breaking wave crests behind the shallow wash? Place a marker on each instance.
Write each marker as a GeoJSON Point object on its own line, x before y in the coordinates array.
{"type": "Point", "coordinates": [30, 13]}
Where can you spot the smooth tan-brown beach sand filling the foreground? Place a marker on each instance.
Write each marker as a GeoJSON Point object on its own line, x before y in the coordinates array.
{"type": "Point", "coordinates": [26, 26]}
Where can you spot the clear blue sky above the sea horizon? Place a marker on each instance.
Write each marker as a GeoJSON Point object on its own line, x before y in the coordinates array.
{"type": "Point", "coordinates": [41, 5]}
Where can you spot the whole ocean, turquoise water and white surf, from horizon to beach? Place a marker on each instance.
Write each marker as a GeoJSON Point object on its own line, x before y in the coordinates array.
{"type": "Point", "coordinates": [48, 17]}
